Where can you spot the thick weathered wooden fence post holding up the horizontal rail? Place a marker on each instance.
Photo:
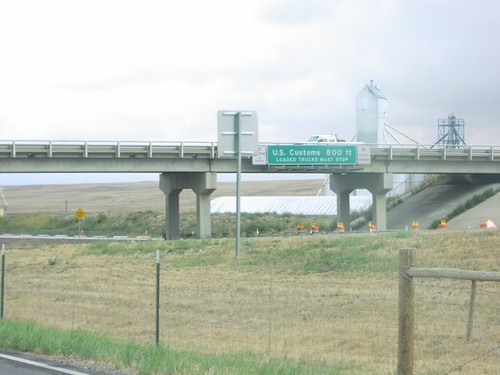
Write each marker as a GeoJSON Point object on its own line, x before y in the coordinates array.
{"type": "Point", "coordinates": [406, 318]}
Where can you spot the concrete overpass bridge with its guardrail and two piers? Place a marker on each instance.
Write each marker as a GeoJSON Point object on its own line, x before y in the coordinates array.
{"type": "Point", "coordinates": [194, 165]}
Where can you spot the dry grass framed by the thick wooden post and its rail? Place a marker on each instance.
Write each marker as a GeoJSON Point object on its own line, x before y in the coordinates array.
{"type": "Point", "coordinates": [442, 308]}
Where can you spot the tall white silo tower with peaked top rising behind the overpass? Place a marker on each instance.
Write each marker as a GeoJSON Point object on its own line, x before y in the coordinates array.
{"type": "Point", "coordinates": [371, 115]}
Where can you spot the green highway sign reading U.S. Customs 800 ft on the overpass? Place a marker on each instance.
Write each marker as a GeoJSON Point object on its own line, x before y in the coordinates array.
{"type": "Point", "coordinates": [332, 154]}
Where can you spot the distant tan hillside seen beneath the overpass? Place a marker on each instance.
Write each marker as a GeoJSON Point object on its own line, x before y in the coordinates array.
{"type": "Point", "coordinates": [134, 196]}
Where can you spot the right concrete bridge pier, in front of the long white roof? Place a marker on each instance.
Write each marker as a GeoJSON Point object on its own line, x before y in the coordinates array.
{"type": "Point", "coordinates": [377, 183]}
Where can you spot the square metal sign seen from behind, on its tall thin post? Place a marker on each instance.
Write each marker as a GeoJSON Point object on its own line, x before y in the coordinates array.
{"type": "Point", "coordinates": [237, 136]}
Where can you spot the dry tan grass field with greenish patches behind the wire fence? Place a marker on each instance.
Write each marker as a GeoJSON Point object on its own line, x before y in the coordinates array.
{"type": "Point", "coordinates": [326, 301]}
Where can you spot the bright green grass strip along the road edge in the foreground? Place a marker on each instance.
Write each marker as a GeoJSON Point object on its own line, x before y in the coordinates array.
{"type": "Point", "coordinates": [77, 344]}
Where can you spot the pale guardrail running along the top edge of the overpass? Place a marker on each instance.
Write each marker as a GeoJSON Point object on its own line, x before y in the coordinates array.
{"type": "Point", "coordinates": [208, 150]}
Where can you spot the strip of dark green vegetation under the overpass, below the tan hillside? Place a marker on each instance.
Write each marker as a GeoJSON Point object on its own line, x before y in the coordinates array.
{"type": "Point", "coordinates": [153, 224]}
